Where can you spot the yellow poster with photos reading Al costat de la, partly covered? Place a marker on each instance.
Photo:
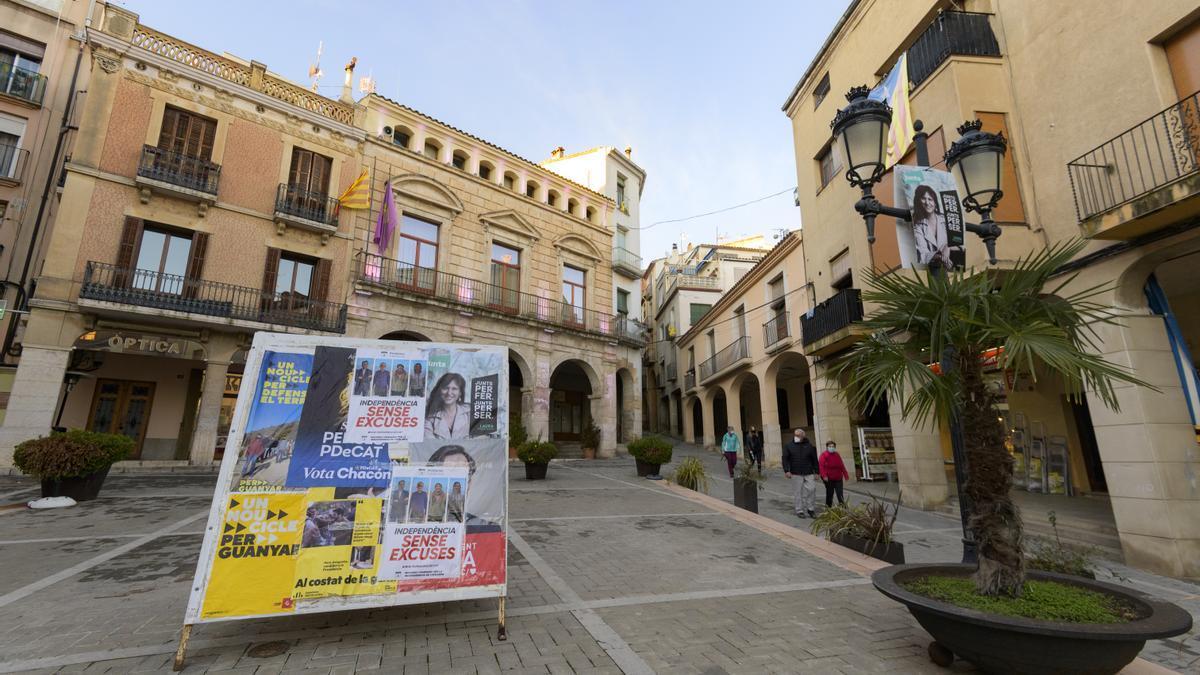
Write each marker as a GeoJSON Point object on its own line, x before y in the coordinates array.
{"type": "Point", "coordinates": [340, 549]}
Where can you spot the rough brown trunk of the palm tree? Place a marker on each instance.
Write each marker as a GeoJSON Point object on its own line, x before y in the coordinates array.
{"type": "Point", "coordinates": [994, 519]}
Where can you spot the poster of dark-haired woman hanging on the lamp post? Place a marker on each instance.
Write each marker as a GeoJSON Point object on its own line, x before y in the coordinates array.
{"type": "Point", "coordinates": [935, 236]}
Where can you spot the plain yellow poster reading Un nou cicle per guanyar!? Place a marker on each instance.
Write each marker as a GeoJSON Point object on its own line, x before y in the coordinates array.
{"type": "Point", "coordinates": [256, 554]}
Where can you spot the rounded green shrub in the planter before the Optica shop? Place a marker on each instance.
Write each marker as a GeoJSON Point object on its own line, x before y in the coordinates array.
{"type": "Point", "coordinates": [71, 455]}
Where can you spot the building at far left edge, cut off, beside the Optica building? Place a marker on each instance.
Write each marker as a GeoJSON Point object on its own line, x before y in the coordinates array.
{"type": "Point", "coordinates": [43, 67]}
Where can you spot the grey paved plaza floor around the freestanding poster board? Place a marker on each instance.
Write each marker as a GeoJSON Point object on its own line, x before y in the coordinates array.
{"type": "Point", "coordinates": [608, 574]}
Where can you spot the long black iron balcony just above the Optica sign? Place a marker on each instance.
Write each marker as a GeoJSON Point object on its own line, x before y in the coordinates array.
{"type": "Point", "coordinates": [169, 292]}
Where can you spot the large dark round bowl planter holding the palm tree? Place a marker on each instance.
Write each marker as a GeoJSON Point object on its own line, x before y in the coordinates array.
{"type": "Point", "coordinates": [1013, 646]}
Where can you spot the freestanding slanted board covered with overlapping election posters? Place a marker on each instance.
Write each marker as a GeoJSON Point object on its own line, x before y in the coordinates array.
{"type": "Point", "coordinates": [359, 474]}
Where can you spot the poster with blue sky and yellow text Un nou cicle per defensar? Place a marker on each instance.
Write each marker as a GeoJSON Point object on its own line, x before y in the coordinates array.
{"type": "Point", "coordinates": [272, 431]}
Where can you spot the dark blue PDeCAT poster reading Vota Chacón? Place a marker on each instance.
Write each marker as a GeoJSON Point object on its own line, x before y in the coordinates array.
{"type": "Point", "coordinates": [325, 455]}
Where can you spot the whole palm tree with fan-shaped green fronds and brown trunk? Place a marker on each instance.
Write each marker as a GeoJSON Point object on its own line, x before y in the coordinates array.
{"type": "Point", "coordinates": [1043, 328]}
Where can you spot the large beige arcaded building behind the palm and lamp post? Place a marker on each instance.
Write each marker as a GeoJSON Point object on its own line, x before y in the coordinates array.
{"type": "Point", "coordinates": [1109, 157]}
